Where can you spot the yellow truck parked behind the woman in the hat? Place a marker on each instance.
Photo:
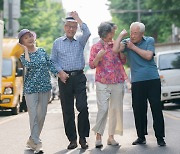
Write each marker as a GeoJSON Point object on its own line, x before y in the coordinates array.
{"type": "Point", "coordinates": [12, 76]}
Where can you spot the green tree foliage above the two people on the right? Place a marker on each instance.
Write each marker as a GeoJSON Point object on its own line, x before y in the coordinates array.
{"type": "Point", "coordinates": [158, 16]}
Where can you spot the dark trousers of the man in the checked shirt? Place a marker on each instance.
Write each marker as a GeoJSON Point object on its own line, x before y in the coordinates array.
{"type": "Point", "coordinates": [74, 89]}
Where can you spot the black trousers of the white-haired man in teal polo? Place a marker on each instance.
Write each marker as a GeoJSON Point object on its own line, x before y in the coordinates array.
{"type": "Point", "coordinates": [142, 92]}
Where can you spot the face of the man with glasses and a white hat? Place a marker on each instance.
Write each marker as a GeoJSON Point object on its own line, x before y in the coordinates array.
{"type": "Point", "coordinates": [70, 29]}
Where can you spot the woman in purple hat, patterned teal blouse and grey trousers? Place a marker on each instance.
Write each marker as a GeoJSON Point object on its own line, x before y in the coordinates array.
{"type": "Point", "coordinates": [37, 85]}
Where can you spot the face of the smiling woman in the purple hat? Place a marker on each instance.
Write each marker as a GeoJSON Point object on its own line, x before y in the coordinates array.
{"type": "Point", "coordinates": [28, 39]}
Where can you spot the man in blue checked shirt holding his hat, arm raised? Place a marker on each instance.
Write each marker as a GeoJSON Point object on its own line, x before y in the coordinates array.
{"type": "Point", "coordinates": [67, 55]}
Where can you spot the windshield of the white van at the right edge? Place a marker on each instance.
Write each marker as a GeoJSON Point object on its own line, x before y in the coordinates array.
{"type": "Point", "coordinates": [169, 61]}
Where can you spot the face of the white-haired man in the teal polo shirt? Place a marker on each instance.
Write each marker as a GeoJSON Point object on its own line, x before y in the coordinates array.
{"type": "Point", "coordinates": [135, 34]}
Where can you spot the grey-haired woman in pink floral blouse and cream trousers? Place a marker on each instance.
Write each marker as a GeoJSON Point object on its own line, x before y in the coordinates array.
{"type": "Point", "coordinates": [110, 77]}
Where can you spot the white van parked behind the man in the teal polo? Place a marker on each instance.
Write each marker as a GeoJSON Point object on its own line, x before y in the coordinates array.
{"type": "Point", "coordinates": [168, 63]}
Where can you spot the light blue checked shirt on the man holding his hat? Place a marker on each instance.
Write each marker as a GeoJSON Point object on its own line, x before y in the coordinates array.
{"type": "Point", "coordinates": [68, 54]}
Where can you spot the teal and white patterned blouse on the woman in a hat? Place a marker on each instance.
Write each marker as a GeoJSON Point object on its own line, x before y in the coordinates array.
{"type": "Point", "coordinates": [37, 77]}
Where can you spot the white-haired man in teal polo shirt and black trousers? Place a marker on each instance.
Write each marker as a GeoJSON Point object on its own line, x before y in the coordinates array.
{"type": "Point", "coordinates": [145, 82]}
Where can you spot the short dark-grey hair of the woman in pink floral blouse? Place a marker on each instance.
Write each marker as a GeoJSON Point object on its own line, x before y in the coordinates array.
{"type": "Point", "coordinates": [105, 28]}
